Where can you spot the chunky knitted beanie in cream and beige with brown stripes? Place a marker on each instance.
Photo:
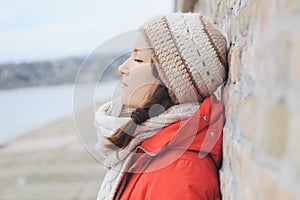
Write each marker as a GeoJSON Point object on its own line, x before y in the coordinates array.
{"type": "Point", "coordinates": [189, 53]}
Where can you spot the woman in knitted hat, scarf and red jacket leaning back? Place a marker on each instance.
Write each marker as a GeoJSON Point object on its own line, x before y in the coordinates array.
{"type": "Point", "coordinates": [162, 139]}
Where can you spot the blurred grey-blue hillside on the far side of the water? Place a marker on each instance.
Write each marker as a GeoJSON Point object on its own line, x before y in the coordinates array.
{"type": "Point", "coordinates": [62, 71]}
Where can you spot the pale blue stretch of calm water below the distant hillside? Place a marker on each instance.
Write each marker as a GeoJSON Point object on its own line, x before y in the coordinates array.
{"type": "Point", "coordinates": [24, 109]}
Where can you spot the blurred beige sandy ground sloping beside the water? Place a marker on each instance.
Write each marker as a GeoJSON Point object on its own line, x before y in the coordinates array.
{"type": "Point", "coordinates": [49, 163]}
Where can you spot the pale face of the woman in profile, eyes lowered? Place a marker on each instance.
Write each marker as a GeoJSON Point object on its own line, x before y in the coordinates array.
{"type": "Point", "coordinates": [138, 81]}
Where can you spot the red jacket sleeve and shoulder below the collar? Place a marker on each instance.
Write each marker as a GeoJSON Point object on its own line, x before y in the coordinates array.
{"type": "Point", "coordinates": [184, 179]}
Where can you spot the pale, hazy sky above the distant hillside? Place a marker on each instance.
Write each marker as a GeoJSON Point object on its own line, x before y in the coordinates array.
{"type": "Point", "coordinates": [35, 30]}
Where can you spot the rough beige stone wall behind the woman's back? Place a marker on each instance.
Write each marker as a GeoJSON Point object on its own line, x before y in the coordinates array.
{"type": "Point", "coordinates": [262, 131]}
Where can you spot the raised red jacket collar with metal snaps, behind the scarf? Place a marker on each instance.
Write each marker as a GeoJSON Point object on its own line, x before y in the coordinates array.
{"type": "Point", "coordinates": [185, 134]}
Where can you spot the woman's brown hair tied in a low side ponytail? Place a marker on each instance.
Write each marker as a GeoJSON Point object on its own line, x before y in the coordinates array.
{"type": "Point", "coordinates": [122, 137]}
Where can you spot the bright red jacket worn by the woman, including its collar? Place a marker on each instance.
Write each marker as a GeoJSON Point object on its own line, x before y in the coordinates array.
{"type": "Point", "coordinates": [181, 161]}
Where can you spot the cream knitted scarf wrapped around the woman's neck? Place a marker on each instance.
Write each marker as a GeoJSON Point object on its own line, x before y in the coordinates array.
{"type": "Point", "coordinates": [112, 115]}
